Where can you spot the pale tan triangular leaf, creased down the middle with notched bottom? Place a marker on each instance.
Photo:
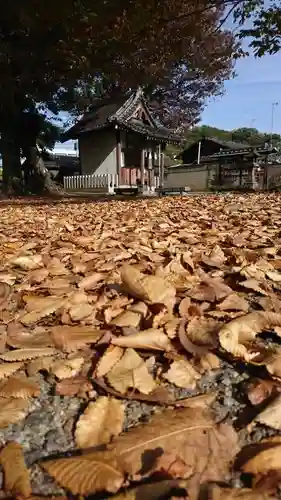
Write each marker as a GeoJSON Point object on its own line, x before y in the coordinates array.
{"type": "Point", "coordinates": [131, 372]}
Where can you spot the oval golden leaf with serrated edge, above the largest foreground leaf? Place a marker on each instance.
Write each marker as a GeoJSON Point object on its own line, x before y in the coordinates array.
{"type": "Point", "coordinates": [100, 422]}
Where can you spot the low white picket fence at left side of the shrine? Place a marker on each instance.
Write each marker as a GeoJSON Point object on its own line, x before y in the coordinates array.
{"type": "Point", "coordinates": [106, 181]}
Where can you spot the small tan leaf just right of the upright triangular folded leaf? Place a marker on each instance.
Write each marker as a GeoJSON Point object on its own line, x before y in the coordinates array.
{"type": "Point", "coordinates": [182, 374]}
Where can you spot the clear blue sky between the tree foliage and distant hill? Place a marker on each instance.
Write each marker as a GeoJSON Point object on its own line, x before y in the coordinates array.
{"type": "Point", "coordinates": [248, 98]}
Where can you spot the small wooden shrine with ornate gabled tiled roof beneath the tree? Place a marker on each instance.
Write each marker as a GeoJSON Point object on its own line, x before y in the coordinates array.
{"type": "Point", "coordinates": [123, 138]}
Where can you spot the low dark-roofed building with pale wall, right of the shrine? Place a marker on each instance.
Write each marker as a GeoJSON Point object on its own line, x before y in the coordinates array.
{"type": "Point", "coordinates": [241, 166]}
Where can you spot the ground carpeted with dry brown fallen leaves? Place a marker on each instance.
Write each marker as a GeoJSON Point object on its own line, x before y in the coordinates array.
{"type": "Point", "coordinates": [140, 348]}
